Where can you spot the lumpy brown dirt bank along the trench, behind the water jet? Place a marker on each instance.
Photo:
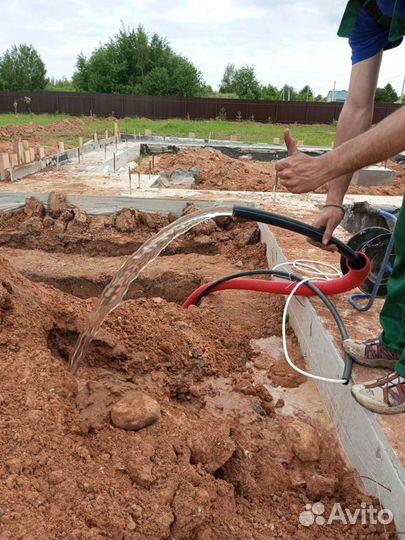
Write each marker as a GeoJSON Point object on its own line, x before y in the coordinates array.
{"type": "Point", "coordinates": [69, 229]}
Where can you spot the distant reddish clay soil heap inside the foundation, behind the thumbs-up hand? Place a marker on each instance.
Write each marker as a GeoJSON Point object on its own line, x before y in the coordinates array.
{"type": "Point", "coordinates": [220, 172]}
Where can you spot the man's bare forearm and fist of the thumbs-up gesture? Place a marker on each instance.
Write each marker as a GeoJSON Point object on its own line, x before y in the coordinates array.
{"type": "Point", "coordinates": [301, 173]}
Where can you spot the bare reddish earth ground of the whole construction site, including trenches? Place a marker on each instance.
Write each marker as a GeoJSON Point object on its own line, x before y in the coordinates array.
{"type": "Point", "coordinates": [242, 444]}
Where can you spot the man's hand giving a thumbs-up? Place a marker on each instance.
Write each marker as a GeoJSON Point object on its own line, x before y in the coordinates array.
{"type": "Point", "coordinates": [300, 173]}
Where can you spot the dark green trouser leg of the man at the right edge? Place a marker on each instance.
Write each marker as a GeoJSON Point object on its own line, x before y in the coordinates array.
{"type": "Point", "coordinates": [392, 316]}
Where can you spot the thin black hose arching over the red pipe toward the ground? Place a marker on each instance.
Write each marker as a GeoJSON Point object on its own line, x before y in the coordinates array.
{"type": "Point", "coordinates": [348, 361]}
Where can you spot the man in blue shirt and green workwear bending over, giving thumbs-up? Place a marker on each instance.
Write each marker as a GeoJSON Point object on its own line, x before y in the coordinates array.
{"type": "Point", "coordinates": [372, 26]}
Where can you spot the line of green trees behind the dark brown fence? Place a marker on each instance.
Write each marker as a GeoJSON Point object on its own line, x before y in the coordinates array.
{"type": "Point", "coordinates": [133, 62]}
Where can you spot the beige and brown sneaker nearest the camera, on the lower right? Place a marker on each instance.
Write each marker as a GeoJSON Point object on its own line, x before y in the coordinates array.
{"type": "Point", "coordinates": [384, 396]}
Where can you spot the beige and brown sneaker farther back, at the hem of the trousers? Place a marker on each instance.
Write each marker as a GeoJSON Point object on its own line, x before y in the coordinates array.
{"type": "Point", "coordinates": [370, 353]}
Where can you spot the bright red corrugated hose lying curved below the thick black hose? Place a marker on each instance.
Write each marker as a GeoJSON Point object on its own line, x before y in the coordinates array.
{"type": "Point", "coordinates": [346, 283]}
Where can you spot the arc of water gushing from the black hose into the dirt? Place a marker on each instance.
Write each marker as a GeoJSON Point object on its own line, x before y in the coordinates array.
{"type": "Point", "coordinates": [115, 291]}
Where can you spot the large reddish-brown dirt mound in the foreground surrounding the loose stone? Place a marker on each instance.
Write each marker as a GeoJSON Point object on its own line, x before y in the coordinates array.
{"type": "Point", "coordinates": [201, 471]}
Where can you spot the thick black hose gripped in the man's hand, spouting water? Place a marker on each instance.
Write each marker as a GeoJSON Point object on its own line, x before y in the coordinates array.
{"type": "Point", "coordinates": [314, 233]}
